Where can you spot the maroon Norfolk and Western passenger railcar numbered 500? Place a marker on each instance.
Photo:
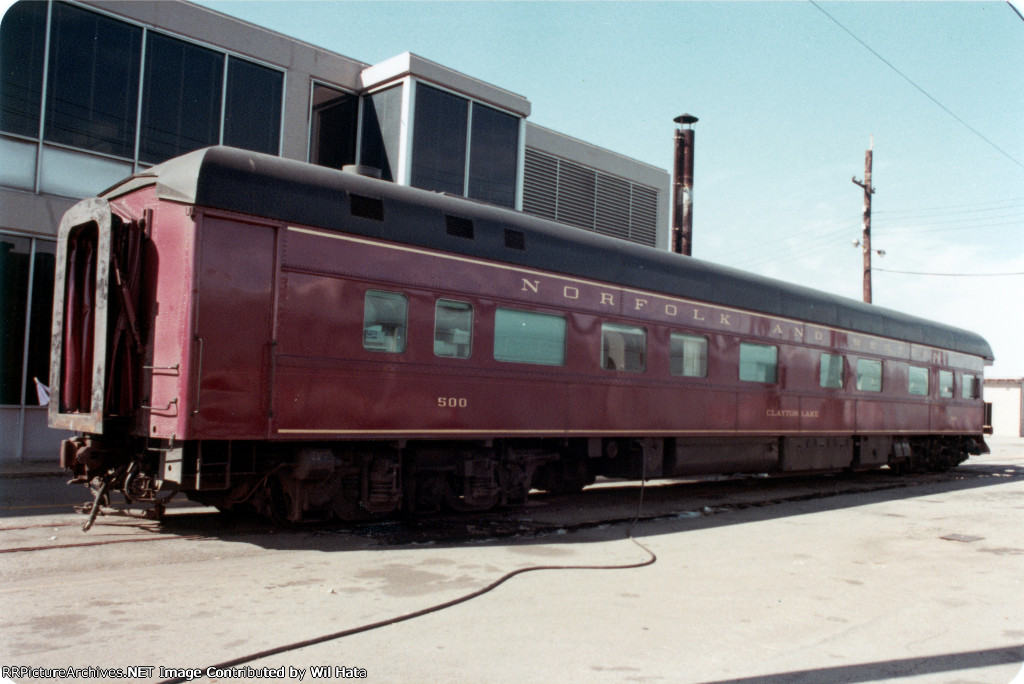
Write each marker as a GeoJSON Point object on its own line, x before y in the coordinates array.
{"type": "Point", "coordinates": [314, 344]}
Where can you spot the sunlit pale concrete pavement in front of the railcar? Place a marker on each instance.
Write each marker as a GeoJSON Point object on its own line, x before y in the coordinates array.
{"type": "Point", "coordinates": [921, 584]}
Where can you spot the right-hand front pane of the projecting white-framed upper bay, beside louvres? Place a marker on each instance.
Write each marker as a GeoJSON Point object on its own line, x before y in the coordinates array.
{"type": "Point", "coordinates": [494, 150]}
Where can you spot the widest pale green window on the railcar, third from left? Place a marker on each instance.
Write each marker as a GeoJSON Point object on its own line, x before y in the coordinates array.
{"type": "Point", "coordinates": [530, 337]}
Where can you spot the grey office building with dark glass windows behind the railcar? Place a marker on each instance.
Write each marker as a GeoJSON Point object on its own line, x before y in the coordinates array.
{"type": "Point", "coordinates": [94, 92]}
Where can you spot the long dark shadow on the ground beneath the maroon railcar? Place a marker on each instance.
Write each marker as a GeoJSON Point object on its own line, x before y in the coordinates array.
{"type": "Point", "coordinates": [604, 511]}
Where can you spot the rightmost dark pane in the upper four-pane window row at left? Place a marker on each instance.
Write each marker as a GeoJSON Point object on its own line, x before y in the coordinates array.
{"type": "Point", "coordinates": [252, 110]}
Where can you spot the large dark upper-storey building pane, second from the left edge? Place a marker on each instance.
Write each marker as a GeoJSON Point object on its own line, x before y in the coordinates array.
{"type": "Point", "coordinates": [93, 84]}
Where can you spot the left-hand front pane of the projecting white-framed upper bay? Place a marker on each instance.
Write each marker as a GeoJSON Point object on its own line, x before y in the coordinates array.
{"type": "Point", "coordinates": [440, 141]}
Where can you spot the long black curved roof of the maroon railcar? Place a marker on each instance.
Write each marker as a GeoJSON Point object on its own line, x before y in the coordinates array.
{"type": "Point", "coordinates": [294, 192]}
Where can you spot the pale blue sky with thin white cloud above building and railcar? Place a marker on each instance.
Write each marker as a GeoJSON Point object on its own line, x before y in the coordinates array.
{"type": "Point", "coordinates": [789, 102]}
